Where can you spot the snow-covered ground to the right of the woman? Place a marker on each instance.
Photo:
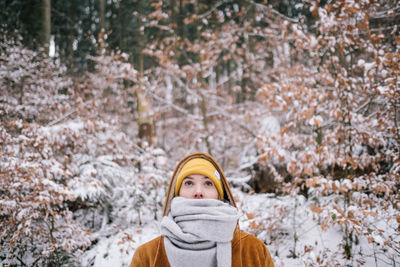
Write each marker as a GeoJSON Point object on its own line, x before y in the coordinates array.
{"type": "Point", "coordinates": [290, 218]}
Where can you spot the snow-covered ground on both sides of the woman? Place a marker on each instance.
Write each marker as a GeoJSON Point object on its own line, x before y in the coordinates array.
{"type": "Point", "coordinates": [277, 220]}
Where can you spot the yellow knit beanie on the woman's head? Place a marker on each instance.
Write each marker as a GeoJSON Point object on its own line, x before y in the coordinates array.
{"type": "Point", "coordinates": [199, 166]}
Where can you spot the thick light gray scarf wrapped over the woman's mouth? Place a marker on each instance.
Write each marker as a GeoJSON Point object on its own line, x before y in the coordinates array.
{"type": "Point", "coordinates": [198, 232]}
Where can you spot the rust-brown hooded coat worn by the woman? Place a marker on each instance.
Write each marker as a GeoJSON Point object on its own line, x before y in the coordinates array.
{"type": "Point", "coordinates": [247, 250]}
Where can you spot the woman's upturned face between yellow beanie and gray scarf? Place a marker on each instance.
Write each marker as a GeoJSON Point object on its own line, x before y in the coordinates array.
{"type": "Point", "coordinates": [198, 186]}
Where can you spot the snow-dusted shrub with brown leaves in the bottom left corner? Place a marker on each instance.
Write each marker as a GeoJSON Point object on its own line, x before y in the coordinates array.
{"type": "Point", "coordinates": [37, 228]}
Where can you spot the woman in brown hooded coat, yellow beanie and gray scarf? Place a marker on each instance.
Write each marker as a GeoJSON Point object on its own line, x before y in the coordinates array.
{"type": "Point", "coordinates": [200, 223]}
